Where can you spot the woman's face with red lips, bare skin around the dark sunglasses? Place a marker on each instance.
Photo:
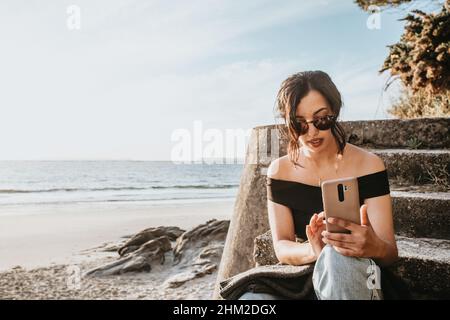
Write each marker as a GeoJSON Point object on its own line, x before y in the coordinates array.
{"type": "Point", "coordinates": [314, 105]}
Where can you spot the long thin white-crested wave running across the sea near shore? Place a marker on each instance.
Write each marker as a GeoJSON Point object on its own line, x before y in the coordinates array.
{"type": "Point", "coordinates": [218, 186]}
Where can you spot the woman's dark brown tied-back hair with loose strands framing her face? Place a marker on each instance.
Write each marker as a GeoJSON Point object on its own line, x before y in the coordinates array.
{"type": "Point", "coordinates": [292, 90]}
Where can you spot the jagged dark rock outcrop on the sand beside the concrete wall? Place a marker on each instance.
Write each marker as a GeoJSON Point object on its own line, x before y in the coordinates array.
{"type": "Point", "coordinates": [197, 252]}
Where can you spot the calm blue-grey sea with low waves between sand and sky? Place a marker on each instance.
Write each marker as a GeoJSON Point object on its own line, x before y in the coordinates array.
{"type": "Point", "coordinates": [40, 182]}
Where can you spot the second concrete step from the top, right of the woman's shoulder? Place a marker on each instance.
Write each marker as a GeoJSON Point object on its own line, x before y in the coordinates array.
{"type": "Point", "coordinates": [416, 167]}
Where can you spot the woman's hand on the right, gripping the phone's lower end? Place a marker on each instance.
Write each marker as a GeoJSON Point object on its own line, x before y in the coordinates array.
{"type": "Point", "coordinates": [362, 242]}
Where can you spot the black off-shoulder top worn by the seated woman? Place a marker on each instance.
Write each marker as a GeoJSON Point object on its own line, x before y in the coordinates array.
{"type": "Point", "coordinates": [304, 200]}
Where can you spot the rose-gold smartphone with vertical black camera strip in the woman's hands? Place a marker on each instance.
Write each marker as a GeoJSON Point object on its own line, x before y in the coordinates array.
{"type": "Point", "coordinates": [341, 200]}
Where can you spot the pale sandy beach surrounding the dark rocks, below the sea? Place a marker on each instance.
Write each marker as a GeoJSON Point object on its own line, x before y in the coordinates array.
{"type": "Point", "coordinates": [39, 247]}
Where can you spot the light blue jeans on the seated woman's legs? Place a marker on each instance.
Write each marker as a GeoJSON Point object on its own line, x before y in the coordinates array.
{"type": "Point", "coordinates": [337, 277]}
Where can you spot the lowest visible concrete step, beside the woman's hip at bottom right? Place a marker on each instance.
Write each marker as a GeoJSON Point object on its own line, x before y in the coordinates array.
{"type": "Point", "coordinates": [424, 265]}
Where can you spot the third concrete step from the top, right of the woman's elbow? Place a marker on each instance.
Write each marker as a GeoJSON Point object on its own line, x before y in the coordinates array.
{"type": "Point", "coordinates": [421, 215]}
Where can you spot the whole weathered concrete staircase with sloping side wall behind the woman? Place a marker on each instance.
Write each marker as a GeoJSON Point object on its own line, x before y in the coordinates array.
{"type": "Point", "coordinates": [417, 156]}
